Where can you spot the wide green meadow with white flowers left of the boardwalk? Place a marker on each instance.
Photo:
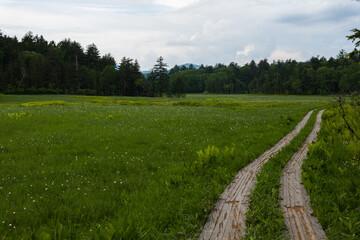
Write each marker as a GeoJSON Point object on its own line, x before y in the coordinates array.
{"type": "Point", "coordinates": [77, 167]}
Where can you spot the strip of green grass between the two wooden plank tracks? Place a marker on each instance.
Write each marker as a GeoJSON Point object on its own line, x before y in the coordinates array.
{"type": "Point", "coordinates": [264, 218]}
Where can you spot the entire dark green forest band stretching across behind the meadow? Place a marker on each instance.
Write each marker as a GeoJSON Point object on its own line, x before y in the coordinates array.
{"type": "Point", "coordinates": [35, 66]}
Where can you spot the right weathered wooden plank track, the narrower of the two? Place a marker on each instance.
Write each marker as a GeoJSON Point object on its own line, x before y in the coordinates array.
{"type": "Point", "coordinates": [295, 202]}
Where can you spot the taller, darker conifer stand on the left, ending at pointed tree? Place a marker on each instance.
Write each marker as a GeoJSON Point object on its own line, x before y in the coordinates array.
{"type": "Point", "coordinates": [33, 65]}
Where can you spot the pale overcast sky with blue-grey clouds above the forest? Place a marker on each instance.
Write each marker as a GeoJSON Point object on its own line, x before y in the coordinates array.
{"type": "Point", "coordinates": [191, 31]}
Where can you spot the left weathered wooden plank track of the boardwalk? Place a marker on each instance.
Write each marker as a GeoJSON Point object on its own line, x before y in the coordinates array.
{"type": "Point", "coordinates": [227, 220]}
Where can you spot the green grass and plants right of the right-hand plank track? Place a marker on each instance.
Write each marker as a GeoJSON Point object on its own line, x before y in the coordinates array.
{"type": "Point", "coordinates": [331, 175]}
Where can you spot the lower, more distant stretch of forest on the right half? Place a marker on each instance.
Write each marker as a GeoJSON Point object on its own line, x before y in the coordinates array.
{"type": "Point", "coordinates": [315, 76]}
